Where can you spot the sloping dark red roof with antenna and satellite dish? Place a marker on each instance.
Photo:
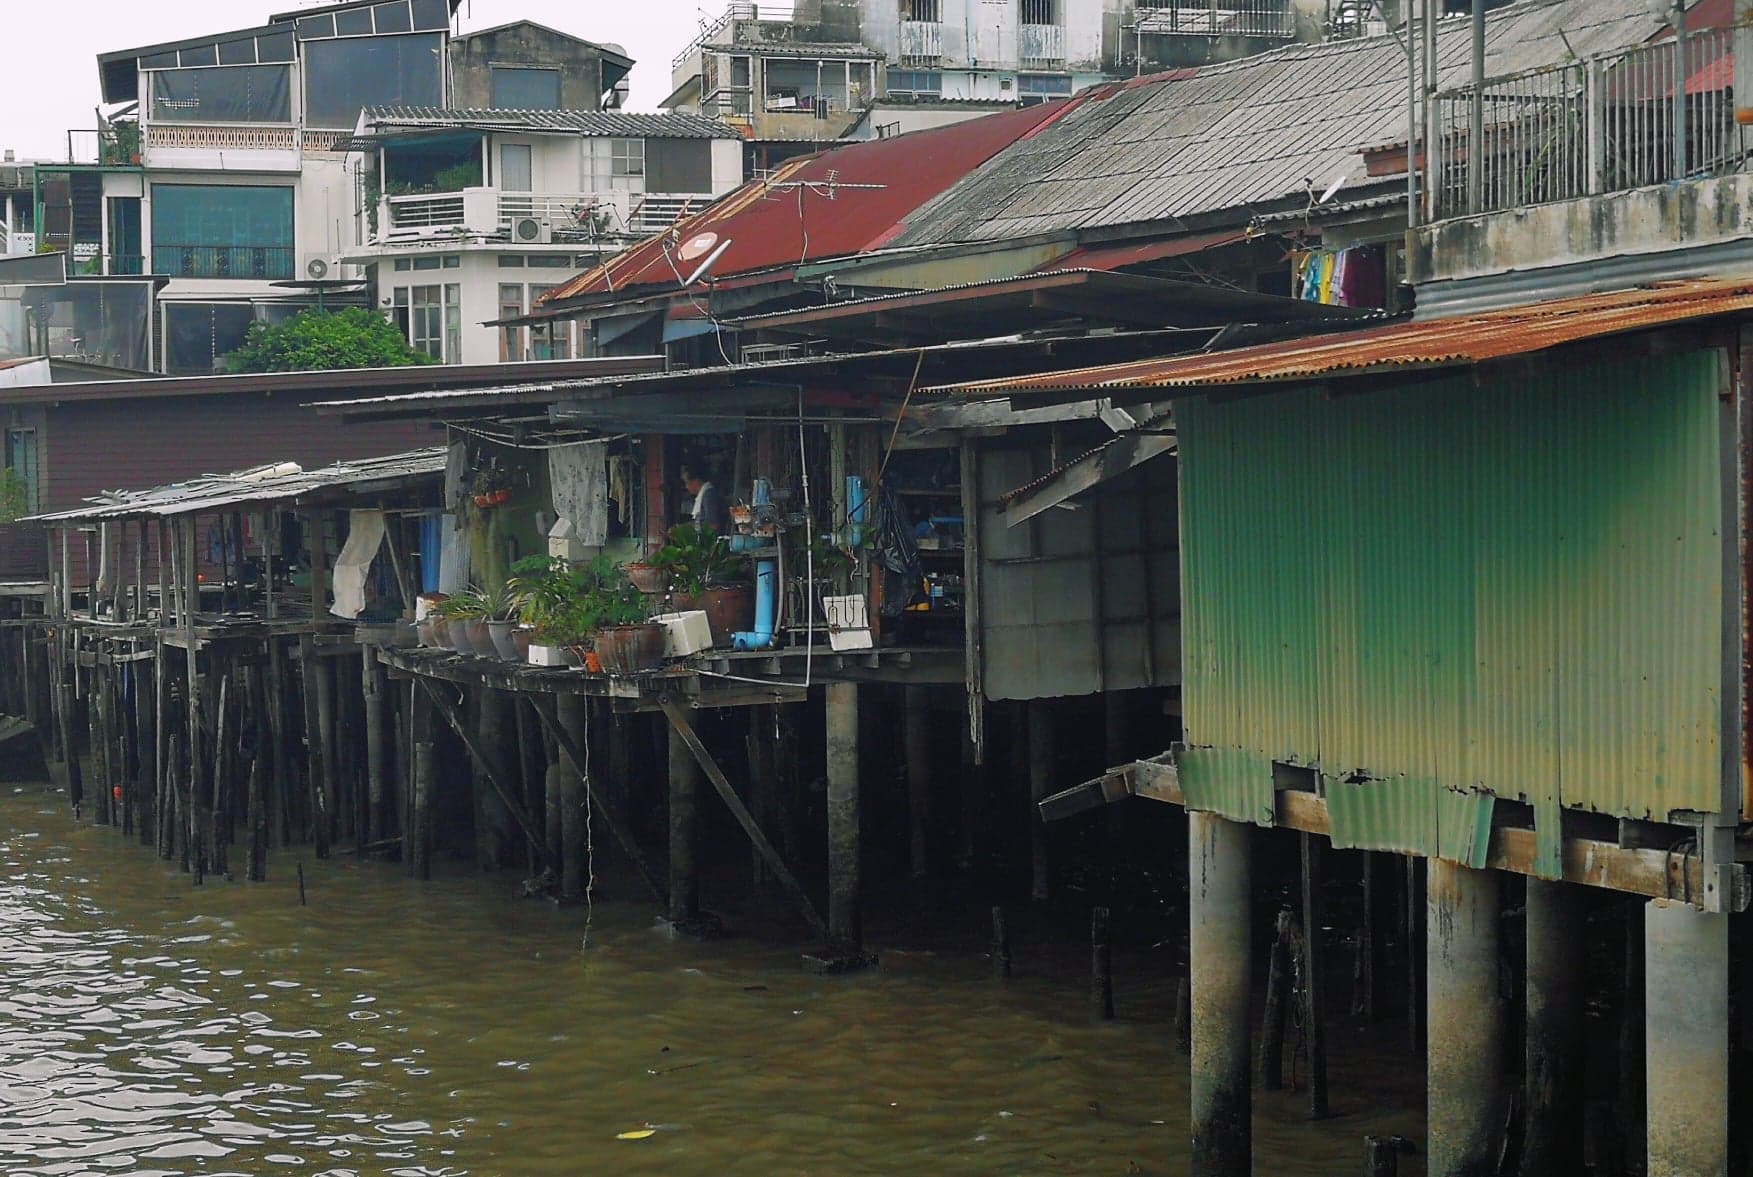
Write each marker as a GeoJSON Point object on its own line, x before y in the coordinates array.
{"type": "Point", "coordinates": [809, 210]}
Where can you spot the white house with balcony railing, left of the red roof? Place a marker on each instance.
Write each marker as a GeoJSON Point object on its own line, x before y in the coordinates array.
{"type": "Point", "coordinates": [478, 213]}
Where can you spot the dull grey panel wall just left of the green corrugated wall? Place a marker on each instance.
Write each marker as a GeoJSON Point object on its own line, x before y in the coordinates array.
{"type": "Point", "coordinates": [1077, 603]}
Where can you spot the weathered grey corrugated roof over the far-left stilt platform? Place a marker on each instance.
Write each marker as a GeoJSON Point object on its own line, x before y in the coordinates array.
{"type": "Point", "coordinates": [259, 485]}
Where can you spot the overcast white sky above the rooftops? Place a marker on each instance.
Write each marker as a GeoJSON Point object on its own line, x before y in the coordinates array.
{"type": "Point", "coordinates": [48, 52]}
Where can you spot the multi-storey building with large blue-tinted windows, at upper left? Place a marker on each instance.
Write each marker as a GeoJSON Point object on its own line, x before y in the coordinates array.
{"type": "Point", "coordinates": [231, 173]}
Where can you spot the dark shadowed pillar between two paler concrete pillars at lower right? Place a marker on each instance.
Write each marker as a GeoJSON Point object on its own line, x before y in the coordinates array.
{"type": "Point", "coordinates": [1554, 1138]}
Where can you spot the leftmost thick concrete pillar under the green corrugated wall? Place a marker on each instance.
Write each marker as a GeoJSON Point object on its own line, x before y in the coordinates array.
{"type": "Point", "coordinates": [1219, 957]}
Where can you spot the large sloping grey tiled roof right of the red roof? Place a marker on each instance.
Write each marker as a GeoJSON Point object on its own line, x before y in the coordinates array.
{"type": "Point", "coordinates": [1244, 134]}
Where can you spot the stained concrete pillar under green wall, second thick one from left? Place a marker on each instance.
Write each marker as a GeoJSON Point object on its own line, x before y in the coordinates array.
{"type": "Point", "coordinates": [1465, 1029]}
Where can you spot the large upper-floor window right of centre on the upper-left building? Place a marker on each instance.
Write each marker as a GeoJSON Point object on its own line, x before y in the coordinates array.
{"type": "Point", "coordinates": [351, 75]}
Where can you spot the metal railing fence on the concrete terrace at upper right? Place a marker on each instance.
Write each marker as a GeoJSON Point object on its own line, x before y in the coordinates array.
{"type": "Point", "coordinates": [1628, 120]}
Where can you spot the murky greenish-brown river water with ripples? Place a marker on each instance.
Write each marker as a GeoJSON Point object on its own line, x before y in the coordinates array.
{"type": "Point", "coordinates": [150, 1027]}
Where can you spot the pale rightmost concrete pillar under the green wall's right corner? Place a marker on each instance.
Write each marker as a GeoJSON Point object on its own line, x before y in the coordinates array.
{"type": "Point", "coordinates": [1687, 1039]}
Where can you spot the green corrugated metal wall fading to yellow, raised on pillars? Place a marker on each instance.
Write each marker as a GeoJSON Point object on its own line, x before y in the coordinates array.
{"type": "Point", "coordinates": [1508, 588]}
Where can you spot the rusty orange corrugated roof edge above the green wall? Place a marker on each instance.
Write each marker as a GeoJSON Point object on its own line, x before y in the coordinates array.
{"type": "Point", "coordinates": [1424, 345]}
